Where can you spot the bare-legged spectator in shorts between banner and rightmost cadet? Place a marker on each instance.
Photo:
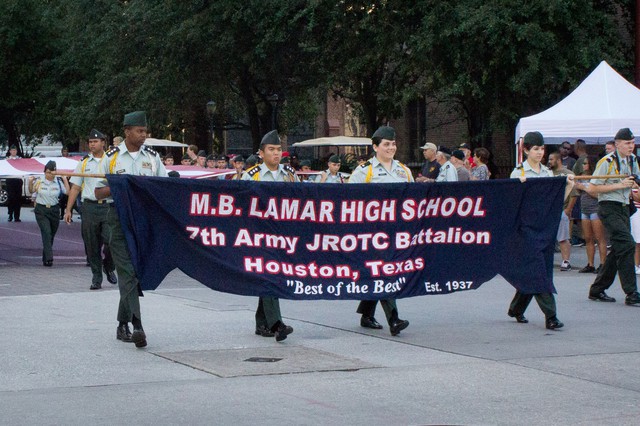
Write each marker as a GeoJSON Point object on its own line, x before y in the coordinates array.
{"type": "Point", "coordinates": [592, 228]}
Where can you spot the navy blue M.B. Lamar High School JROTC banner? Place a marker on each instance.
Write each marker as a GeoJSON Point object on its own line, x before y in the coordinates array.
{"type": "Point", "coordinates": [363, 241]}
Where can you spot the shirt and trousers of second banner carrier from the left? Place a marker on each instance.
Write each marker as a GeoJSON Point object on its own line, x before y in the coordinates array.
{"type": "Point", "coordinates": [268, 314]}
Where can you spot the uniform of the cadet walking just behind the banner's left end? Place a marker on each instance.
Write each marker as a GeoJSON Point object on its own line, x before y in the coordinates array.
{"type": "Point", "coordinates": [93, 221]}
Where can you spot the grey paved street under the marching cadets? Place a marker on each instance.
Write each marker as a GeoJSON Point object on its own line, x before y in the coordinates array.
{"type": "Point", "coordinates": [461, 361]}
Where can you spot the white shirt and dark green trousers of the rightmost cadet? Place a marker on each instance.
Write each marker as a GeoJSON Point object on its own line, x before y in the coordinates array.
{"type": "Point", "coordinates": [613, 210]}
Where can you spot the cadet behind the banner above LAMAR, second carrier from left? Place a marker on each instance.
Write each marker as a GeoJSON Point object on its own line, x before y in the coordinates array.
{"type": "Point", "coordinates": [268, 318]}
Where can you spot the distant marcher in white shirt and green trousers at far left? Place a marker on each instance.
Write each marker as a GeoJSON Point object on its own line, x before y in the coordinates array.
{"type": "Point", "coordinates": [47, 210]}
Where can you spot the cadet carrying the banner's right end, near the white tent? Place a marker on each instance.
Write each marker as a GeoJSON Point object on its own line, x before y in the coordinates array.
{"type": "Point", "coordinates": [532, 167]}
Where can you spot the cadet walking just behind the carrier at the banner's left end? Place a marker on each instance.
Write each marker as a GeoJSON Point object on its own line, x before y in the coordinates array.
{"type": "Point", "coordinates": [93, 217]}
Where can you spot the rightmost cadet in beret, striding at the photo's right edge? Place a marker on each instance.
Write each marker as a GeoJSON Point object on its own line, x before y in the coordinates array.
{"type": "Point", "coordinates": [613, 209]}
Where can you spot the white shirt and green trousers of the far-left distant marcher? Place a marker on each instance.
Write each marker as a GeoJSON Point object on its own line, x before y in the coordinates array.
{"type": "Point", "coordinates": [47, 213]}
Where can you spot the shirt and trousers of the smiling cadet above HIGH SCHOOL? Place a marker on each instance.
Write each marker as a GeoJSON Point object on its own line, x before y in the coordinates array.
{"type": "Point", "coordinates": [374, 172]}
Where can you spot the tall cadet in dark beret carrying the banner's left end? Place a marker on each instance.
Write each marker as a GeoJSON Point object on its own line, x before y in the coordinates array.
{"type": "Point", "coordinates": [134, 158]}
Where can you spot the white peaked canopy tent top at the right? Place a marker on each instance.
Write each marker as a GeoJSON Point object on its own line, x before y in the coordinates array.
{"type": "Point", "coordinates": [601, 105]}
